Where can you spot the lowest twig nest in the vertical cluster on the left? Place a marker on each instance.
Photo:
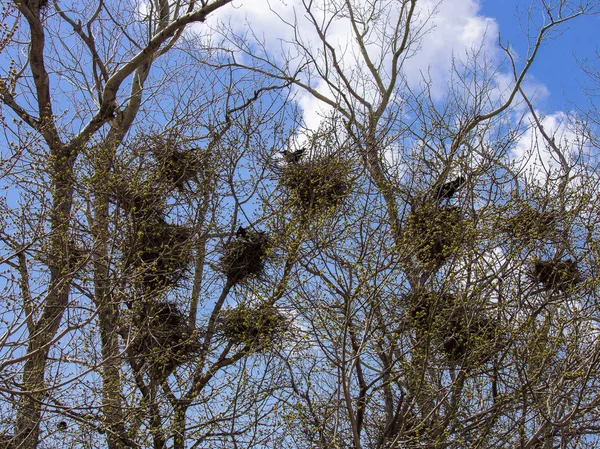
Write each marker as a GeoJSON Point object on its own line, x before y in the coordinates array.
{"type": "Point", "coordinates": [164, 338]}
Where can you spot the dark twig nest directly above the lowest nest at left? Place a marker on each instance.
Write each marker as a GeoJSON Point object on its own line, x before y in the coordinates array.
{"type": "Point", "coordinates": [161, 253]}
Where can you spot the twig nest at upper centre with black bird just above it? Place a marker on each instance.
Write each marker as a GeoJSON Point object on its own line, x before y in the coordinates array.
{"type": "Point", "coordinates": [317, 184]}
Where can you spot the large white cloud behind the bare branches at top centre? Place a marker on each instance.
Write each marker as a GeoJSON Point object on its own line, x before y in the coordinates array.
{"type": "Point", "coordinates": [451, 27]}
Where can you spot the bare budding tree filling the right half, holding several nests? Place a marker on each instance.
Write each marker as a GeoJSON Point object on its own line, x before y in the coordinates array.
{"type": "Point", "coordinates": [453, 304]}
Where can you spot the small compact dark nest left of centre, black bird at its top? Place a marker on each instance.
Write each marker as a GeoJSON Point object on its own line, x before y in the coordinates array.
{"type": "Point", "coordinates": [244, 257]}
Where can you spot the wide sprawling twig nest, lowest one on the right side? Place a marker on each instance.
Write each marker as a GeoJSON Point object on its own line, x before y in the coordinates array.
{"type": "Point", "coordinates": [463, 335]}
